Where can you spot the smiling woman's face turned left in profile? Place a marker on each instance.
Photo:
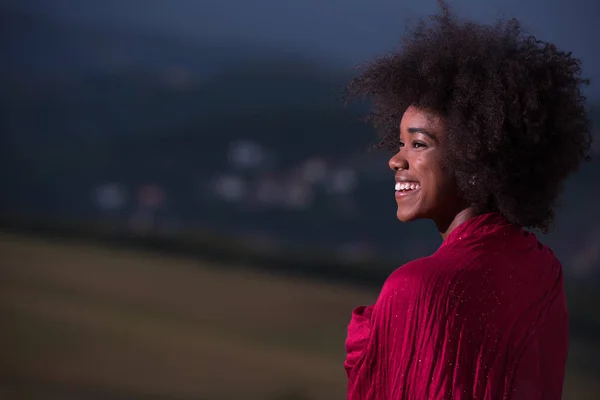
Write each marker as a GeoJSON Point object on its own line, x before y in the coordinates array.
{"type": "Point", "coordinates": [424, 188]}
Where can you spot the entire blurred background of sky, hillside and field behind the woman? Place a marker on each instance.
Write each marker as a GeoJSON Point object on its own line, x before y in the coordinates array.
{"type": "Point", "coordinates": [188, 210]}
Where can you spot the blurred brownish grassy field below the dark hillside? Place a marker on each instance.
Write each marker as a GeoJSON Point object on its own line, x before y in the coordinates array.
{"type": "Point", "coordinates": [80, 321]}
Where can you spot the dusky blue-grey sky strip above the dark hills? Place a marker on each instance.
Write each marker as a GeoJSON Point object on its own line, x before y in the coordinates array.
{"type": "Point", "coordinates": [346, 32]}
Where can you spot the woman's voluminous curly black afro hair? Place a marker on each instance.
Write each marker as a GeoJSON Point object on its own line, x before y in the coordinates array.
{"type": "Point", "coordinates": [513, 107]}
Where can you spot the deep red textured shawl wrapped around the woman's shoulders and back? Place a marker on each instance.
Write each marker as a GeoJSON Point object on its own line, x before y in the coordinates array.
{"type": "Point", "coordinates": [484, 318]}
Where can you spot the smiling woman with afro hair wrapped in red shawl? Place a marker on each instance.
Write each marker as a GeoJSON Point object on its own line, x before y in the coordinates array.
{"type": "Point", "coordinates": [486, 124]}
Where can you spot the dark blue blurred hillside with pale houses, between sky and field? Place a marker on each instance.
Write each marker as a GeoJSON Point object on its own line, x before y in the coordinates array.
{"type": "Point", "coordinates": [149, 132]}
